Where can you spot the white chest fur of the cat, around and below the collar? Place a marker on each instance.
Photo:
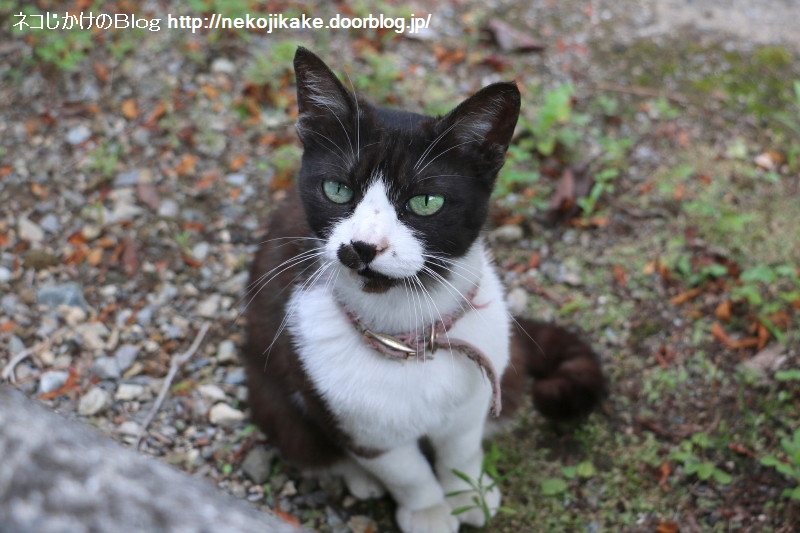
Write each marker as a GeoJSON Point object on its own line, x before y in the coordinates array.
{"type": "Point", "coordinates": [381, 403]}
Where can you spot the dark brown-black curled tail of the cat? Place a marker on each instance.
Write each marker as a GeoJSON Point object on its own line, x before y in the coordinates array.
{"type": "Point", "coordinates": [568, 378]}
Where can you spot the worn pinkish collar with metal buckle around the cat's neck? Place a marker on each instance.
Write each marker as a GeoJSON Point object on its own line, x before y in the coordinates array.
{"type": "Point", "coordinates": [421, 345]}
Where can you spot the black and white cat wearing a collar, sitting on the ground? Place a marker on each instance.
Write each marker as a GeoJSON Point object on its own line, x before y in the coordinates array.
{"type": "Point", "coordinates": [376, 319]}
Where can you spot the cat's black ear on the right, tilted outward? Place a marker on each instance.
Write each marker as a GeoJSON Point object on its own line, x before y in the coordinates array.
{"type": "Point", "coordinates": [485, 121]}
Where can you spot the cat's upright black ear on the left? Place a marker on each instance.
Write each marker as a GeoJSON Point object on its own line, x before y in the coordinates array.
{"type": "Point", "coordinates": [319, 92]}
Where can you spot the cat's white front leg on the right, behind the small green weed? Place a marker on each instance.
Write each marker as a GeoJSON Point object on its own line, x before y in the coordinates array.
{"type": "Point", "coordinates": [459, 454]}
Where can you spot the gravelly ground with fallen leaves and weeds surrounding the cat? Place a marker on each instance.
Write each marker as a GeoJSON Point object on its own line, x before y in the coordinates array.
{"type": "Point", "coordinates": [651, 200]}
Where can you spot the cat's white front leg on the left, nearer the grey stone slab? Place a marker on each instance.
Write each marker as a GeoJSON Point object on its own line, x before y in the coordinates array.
{"type": "Point", "coordinates": [406, 473]}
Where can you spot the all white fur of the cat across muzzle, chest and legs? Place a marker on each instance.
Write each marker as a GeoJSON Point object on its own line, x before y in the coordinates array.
{"type": "Point", "coordinates": [389, 405]}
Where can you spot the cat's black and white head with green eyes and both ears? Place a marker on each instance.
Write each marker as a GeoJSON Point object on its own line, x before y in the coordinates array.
{"type": "Point", "coordinates": [396, 194]}
